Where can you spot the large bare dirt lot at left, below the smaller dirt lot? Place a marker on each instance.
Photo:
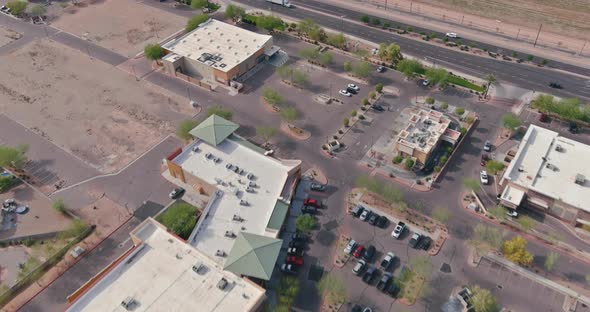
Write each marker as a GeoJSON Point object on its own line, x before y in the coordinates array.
{"type": "Point", "coordinates": [95, 111]}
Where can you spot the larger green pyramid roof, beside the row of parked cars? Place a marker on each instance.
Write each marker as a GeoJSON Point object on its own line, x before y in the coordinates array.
{"type": "Point", "coordinates": [253, 255]}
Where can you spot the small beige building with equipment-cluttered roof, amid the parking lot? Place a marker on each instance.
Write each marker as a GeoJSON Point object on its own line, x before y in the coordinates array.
{"type": "Point", "coordinates": [423, 134]}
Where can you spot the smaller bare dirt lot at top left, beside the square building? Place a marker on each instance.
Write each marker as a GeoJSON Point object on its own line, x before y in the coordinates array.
{"type": "Point", "coordinates": [123, 26]}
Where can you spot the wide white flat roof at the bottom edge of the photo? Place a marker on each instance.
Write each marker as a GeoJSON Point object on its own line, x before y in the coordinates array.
{"type": "Point", "coordinates": [159, 276]}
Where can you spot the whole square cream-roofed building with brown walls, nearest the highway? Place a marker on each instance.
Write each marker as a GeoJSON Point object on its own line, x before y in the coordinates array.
{"type": "Point", "coordinates": [217, 51]}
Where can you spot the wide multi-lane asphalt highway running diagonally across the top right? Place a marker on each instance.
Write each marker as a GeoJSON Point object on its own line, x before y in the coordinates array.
{"type": "Point", "coordinates": [529, 77]}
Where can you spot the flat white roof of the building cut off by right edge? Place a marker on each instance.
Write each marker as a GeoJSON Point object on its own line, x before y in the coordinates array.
{"type": "Point", "coordinates": [538, 166]}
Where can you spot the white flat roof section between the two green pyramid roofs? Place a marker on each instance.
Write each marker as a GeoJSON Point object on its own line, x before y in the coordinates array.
{"type": "Point", "coordinates": [270, 176]}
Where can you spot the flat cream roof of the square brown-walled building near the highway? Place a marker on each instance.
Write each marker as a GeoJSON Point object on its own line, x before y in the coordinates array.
{"type": "Point", "coordinates": [229, 44]}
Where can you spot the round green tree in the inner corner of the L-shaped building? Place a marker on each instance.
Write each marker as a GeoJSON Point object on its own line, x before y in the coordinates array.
{"type": "Point", "coordinates": [180, 218]}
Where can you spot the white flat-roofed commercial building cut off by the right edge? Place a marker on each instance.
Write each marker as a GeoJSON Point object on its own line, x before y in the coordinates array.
{"type": "Point", "coordinates": [549, 172]}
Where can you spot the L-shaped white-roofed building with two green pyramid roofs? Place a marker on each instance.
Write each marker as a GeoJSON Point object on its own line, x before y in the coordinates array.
{"type": "Point", "coordinates": [249, 191]}
